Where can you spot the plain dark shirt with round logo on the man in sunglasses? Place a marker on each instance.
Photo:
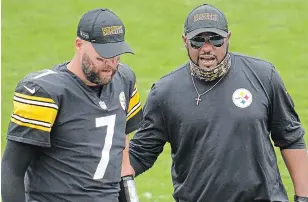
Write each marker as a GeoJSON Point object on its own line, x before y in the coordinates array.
{"type": "Point", "coordinates": [221, 149]}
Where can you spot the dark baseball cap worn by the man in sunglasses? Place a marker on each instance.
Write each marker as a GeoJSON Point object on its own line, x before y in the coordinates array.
{"type": "Point", "coordinates": [205, 18]}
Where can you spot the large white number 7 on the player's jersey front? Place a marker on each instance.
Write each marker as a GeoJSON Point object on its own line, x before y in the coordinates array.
{"type": "Point", "coordinates": [108, 121]}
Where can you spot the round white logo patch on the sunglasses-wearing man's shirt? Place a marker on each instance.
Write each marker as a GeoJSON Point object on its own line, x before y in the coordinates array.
{"type": "Point", "coordinates": [242, 98]}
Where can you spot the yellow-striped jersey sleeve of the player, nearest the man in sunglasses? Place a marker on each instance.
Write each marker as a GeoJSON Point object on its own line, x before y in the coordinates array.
{"type": "Point", "coordinates": [134, 111]}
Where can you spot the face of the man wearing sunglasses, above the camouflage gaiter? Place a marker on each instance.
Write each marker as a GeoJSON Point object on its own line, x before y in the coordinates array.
{"type": "Point", "coordinates": [207, 50]}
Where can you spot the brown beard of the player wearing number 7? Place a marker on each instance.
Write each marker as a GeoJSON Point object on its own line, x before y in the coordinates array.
{"type": "Point", "coordinates": [92, 76]}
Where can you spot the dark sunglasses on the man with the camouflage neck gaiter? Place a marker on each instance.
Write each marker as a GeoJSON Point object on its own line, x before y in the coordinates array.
{"type": "Point", "coordinates": [198, 41]}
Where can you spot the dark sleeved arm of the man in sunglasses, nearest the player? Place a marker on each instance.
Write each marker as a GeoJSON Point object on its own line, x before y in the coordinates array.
{"type": "Point", "coordinates": [149, 140]}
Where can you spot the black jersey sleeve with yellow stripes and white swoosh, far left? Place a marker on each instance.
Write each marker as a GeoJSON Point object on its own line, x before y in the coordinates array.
{"type": "Point", "coordinates": [34, 113]}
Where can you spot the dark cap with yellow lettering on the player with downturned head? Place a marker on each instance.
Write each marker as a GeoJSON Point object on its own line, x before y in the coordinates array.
{"type": "Point", "coordinates": [105, 30]}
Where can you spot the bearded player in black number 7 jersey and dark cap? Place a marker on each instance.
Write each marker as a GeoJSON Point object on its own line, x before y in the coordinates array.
{"type": "Point", "coordinates": [68, 127]}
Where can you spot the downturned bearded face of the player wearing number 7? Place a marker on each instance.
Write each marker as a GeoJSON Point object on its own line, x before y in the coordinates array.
{"type": "Point", "coordinates": [98, 70]}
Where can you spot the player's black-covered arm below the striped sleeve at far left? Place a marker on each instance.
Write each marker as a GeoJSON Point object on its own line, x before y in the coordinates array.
{"type": "Point", "coordinates": [15, 161]}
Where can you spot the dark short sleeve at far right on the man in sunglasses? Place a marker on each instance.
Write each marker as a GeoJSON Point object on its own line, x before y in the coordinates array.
{"type": "Point", "coordinates": [285, 124]}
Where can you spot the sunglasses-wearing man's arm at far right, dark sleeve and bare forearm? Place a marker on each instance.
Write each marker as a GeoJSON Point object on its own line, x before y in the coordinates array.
{"type": "Point", "coordinates": [288, 134]}
